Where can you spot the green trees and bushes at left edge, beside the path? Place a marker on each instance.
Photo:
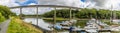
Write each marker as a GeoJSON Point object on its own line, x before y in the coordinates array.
{"type": "Point", "coordinates": [5, 13]}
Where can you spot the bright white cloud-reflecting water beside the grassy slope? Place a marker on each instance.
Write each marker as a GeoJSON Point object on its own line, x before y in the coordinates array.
{"type": "Point", "coordinates": [41, 22]}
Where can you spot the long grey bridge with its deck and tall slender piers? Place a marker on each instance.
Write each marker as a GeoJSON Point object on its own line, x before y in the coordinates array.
{"type": "Point", "coordinates": [52, 6]}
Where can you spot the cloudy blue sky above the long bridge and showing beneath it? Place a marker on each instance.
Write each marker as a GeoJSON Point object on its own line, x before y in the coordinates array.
{"type": "Point", "coordinates": [99, 4]}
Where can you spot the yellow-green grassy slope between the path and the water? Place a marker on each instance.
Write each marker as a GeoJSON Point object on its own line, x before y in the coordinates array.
{"type": "Point", "coordinates": [18, 26]}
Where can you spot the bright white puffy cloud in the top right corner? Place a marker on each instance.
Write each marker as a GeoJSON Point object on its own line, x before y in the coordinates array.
{"type": "Point", "coordinates": [113, 3]}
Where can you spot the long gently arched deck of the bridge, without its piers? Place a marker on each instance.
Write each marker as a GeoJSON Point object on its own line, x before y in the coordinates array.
{"type": "Point", "coordinates": [54, 6]}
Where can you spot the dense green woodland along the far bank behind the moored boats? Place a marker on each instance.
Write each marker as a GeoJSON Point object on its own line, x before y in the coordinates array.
{"type": "Point", "coordinates": [84, 13]}
